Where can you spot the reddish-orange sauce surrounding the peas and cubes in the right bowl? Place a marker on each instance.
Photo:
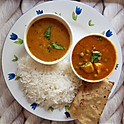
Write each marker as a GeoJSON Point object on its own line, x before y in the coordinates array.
{"type": "Point", "coordinates": [86, 46]}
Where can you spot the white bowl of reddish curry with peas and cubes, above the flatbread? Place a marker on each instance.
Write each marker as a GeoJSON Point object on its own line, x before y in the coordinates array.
{"type": "Point", "coordinates": [93, 58]}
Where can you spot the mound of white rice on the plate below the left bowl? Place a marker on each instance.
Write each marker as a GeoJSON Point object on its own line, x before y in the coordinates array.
{"type": "Point", "coordinates": [53, 85]}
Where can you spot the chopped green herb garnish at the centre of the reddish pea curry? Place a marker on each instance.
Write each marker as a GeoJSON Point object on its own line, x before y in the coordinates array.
{"type": "Point", "coordinates": [96, 56]}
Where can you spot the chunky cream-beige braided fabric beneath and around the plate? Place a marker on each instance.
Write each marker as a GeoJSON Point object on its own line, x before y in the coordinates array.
{"type": "Point", "coordinates": [11, 111]}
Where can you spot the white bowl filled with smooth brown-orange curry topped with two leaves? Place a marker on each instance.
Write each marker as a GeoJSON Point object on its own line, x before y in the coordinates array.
{"type": "Point", "coordinates": [48, 38]}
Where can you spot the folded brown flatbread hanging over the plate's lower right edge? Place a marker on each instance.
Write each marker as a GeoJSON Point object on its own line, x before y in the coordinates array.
{"type": "Point", "coordinates": [90, 101]}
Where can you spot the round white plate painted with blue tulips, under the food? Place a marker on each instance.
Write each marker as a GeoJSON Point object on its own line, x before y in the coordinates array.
{"type": "Point", "coordinates": [80, 27]}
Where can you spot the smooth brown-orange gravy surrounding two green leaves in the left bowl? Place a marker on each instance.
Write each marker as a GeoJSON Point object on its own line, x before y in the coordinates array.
{"type": "Point", "coordinates": [39, 45]}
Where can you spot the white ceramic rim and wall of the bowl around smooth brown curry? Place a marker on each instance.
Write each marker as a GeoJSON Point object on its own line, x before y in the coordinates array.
{"type": "Point", "coordinates": [53, 16]}
